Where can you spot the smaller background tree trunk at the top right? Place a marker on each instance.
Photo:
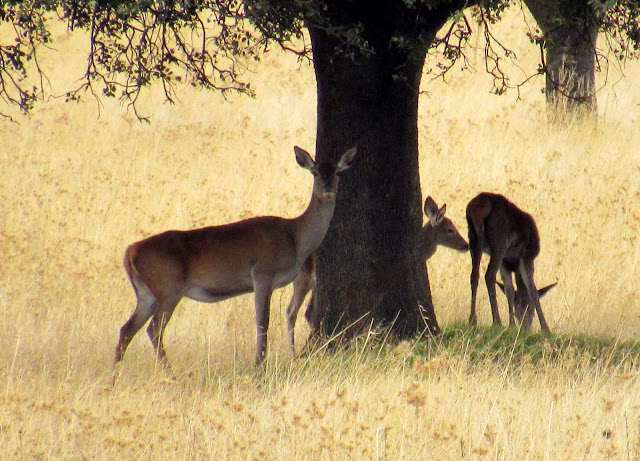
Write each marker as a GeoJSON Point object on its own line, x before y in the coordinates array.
{"type": "Point", "coordinates": [570, 31]}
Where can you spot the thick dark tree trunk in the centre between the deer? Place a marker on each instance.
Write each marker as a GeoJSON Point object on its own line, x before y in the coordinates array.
{"type": "Point", "coordinates": [369, 268]}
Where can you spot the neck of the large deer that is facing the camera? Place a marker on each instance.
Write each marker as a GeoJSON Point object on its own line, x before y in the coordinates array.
{"type": "Point", "coordinates": [312, 225]}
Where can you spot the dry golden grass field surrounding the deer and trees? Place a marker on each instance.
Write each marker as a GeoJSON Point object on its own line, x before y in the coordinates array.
{"type": "Point", "coordinates": [77, 189]}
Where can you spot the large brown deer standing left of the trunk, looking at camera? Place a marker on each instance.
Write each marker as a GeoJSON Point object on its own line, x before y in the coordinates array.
{"type": "Point", "coordinates": [217, 263]}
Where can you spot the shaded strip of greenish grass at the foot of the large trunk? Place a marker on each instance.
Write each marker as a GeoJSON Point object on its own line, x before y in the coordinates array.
{"type": "Point", "coordinates": [458, 349]}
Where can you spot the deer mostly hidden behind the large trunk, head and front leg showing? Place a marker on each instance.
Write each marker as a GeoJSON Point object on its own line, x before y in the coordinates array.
{"type": "Point", "coordinates": [437, 231]}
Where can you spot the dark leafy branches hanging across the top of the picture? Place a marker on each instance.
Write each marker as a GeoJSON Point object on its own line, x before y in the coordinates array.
{"type": "Point", "coordinates": [207, 43]}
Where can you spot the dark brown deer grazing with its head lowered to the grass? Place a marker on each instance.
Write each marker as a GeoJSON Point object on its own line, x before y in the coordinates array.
{"type": "Point", "coordinates": [510, 237]}
